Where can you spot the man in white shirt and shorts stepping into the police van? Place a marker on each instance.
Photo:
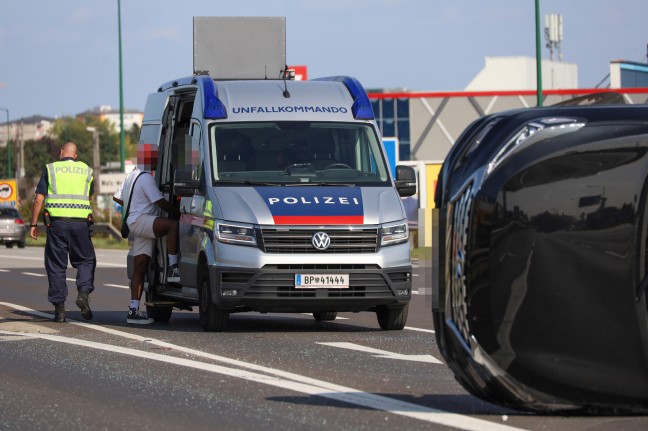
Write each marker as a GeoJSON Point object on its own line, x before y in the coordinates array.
{"type": "Point", "coordinates": [145, 223]}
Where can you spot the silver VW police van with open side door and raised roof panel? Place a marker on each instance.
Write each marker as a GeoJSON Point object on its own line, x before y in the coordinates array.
{"type": "Point", "coordinates": [287, 200]}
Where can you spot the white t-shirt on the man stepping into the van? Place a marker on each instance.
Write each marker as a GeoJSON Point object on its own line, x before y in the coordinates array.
{"type": "Point", "coordinates": [143, 197]}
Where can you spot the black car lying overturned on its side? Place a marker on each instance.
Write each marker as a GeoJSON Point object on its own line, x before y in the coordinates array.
{"type": "Point", "coordinates": [539, 301]}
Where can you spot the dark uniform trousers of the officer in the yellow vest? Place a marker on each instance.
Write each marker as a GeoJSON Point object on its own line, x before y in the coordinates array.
{"type": "Point", "coordinates": [67, 238]}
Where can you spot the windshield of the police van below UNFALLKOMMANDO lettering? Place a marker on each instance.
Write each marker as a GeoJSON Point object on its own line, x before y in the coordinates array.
{"type": "Point", "coordinates": [297, 152]}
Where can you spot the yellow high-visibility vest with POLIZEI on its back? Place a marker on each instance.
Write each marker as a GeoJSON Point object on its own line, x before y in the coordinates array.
{"type": "Point", "coordinates": [68, 191]}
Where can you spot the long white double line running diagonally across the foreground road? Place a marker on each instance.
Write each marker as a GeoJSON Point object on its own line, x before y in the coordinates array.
{"type": "Point", "coordinates": [295, 382]}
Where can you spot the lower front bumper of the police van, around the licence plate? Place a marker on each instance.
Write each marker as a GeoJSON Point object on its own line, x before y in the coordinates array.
{"type": "Point", "coordinates": [272, 288]}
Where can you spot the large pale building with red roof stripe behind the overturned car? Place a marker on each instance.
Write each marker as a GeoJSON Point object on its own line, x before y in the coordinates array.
{"type": "Point", "coordinates": [427, 124]}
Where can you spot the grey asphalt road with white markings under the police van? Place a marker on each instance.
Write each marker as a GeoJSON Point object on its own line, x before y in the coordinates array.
{"type": "Point", "coordinates": [266, 372]}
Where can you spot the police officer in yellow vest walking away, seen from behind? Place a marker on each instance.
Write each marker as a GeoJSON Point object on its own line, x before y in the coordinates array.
{"type": "Point", "coordinates": [65, 187]}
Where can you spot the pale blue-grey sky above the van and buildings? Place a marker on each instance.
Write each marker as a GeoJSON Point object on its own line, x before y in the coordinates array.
{"type": "Point", "coordinates": [61, 58]}
